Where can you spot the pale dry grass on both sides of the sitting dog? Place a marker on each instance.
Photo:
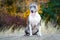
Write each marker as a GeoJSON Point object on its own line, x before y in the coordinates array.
{"type": "Point", "coordinates": [49, 30]}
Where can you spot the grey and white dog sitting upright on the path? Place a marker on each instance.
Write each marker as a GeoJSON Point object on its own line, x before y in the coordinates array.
{"type": "Point", "coordinates": [34, 21]}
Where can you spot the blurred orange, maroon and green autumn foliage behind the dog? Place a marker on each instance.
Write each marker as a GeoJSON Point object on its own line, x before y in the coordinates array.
{"type": "Point", "coordinates": [14, 13]}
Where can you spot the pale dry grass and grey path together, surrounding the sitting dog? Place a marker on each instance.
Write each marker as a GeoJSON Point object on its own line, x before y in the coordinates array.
{"type": "Point", "coordinates": [47, 34]}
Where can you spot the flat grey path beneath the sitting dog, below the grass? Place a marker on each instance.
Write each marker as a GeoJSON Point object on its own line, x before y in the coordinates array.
{"type": "Point", "coordinates": [44, 37]}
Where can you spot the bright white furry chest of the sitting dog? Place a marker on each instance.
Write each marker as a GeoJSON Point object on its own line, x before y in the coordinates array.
{"type": "Point", "coordinates": [34, 20]}
